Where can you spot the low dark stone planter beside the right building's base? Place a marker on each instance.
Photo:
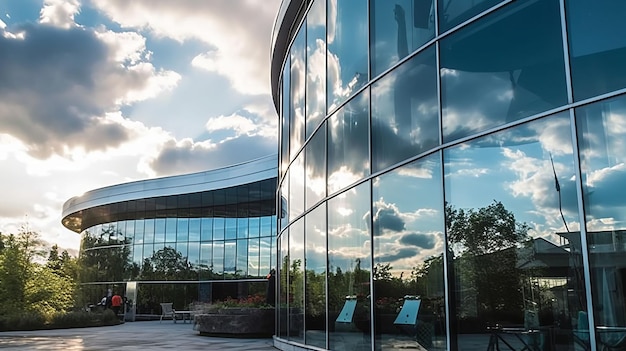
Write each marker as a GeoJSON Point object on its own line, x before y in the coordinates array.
{"type": "Point", "coordinates": [237, 323]}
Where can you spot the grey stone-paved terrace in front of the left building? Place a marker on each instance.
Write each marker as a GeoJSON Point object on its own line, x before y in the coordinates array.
{"type": "Point", "coordinates": [145, 336]}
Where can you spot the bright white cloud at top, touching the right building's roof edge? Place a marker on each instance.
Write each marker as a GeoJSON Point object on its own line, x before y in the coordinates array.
{"type": "Point", "coordinates": [240, 42]}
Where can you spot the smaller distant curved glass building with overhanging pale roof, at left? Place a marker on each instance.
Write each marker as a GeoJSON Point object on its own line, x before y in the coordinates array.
{"type": "Point", "coordinates": [197, 237]}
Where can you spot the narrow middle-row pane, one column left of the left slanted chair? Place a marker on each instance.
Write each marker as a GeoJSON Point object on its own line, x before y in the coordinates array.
{"type": "Point", "coordinates": [315, 168]}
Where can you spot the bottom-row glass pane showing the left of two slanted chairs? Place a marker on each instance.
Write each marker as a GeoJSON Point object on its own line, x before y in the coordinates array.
{"type": "Point", "coordinates": [349, 259]}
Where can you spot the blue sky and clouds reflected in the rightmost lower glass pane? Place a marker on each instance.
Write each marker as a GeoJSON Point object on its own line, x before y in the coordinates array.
{"type": "Point", "coordinates": [602, 130]}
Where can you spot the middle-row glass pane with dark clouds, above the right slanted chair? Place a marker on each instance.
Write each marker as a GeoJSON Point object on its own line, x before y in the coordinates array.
{"type": "Point", "coordinates": [405, 118]}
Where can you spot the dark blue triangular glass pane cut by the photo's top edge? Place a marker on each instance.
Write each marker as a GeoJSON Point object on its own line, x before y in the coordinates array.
{"type": "Point", "coordinates": [452, 12]}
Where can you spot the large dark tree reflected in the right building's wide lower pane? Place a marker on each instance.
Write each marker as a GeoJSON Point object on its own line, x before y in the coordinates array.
{"type": "Point", "coordinates": [485, 244]}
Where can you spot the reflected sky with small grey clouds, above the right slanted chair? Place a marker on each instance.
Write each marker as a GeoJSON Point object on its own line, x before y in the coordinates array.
{"type": "Point", "coordinates": [408, 217]}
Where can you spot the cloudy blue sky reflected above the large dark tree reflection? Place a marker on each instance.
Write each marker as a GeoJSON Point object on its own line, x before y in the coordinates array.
{"type": "Point", "coordinates": [514, 167]}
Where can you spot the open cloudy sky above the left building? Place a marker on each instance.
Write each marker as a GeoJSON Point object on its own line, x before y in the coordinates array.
{"type": "Point", "coordinates": [100, 92]}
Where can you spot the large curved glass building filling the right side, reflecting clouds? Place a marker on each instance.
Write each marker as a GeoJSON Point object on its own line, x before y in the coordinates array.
{"type": "Point", "coordinates": [452, 174]}
